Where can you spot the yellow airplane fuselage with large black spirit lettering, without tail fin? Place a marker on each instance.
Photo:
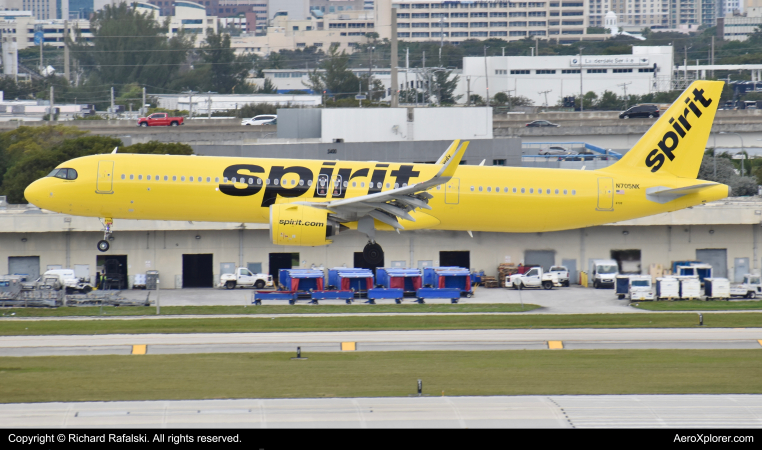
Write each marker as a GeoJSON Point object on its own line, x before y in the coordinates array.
{"type": "Point", "coordinates": [476, 198]}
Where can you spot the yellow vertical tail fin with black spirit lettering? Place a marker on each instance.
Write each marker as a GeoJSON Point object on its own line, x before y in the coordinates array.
{"type": "Point", "coordinates": [675, 144]}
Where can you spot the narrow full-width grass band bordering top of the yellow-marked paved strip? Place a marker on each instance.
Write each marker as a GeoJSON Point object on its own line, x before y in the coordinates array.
{"type": "Point", "coordinates": [366, 323]}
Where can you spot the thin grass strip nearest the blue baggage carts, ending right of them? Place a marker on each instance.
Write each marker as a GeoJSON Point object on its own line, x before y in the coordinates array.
{"type": "Point", "coordinates": [264, 309]}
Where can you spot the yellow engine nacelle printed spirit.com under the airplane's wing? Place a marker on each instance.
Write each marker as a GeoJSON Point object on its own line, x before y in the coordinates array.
{"type": "Point", "coordinates": [292, 224]}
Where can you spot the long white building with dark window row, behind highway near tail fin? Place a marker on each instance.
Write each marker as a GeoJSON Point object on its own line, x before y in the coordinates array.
{"type": "Point", "coordinates": [646, 70]}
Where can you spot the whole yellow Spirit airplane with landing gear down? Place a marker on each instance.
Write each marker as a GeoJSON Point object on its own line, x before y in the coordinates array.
{"type": "Point", "coordinates": [307, 202]}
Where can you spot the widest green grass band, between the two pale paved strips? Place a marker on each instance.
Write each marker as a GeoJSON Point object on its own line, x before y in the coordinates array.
{"type": "Point", "coordinates": [375, 374]}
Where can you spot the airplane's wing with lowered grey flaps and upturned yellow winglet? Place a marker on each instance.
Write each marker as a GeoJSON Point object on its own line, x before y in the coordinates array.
{"type": "Point", "coordinates": [389, 206]}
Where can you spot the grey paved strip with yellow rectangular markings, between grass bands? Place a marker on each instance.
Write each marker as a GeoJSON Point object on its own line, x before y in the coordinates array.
{"type": "Point", "coordinates": [466, 340]}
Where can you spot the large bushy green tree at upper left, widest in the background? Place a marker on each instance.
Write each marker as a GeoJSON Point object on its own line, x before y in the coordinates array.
{"type": "Point", "coordinates": [147, 57]}
